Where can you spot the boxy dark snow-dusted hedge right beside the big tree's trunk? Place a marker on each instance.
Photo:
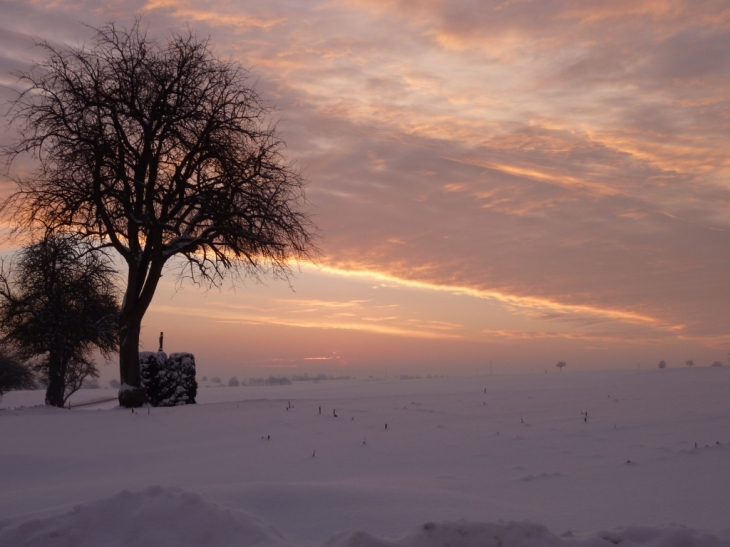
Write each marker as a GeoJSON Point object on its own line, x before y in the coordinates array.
{"type": "Point", "coordinates": [169, 381]}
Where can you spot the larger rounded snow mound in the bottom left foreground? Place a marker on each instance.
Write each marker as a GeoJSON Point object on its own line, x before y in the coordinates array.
{"type": "Point", "coordinates": [158, 517]}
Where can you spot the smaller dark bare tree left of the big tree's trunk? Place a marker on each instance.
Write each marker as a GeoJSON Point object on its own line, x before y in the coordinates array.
{"type": "Point", "coordinates": [57, 303]}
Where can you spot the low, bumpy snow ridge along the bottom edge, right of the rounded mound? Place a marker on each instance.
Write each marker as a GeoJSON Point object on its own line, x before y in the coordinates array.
{"type": "Point", "coordinates": [527, 534]}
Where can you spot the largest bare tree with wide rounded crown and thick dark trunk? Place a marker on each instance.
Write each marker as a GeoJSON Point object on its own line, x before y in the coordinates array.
{"type": "Point", "coordinates": [158, 150]}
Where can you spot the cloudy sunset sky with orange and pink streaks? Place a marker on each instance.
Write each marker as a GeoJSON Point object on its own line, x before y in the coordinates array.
{"type": "Point", "coordinates": [498, 185]}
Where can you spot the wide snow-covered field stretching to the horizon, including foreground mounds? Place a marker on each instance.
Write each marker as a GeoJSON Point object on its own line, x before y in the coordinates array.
{"type": "Point", "coordinates": [499, 461]}
